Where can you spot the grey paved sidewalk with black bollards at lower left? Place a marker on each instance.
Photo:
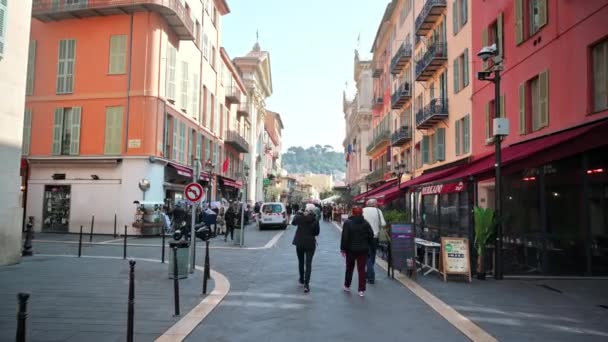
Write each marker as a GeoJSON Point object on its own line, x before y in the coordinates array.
{"type": "Point", "coordinates": [86, 299]}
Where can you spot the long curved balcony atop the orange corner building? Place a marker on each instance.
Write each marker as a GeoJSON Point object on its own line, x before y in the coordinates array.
{"type": "Point", "coordinates": [173, 11]}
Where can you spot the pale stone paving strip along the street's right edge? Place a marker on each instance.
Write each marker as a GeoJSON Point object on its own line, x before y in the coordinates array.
{"type": "Point", "coordinates": [459, 321]}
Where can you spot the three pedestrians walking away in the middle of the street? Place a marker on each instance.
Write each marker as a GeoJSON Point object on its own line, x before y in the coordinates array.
{"type": "Point", "coordinates": [358, 243]}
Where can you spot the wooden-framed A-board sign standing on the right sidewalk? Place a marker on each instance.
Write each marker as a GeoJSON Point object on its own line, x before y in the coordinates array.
{"type": "Point", "coordinates": [455, 256]}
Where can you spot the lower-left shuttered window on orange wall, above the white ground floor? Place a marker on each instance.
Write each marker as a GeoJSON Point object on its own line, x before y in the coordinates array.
{"type": "Point", "coordinates": [66, 131]}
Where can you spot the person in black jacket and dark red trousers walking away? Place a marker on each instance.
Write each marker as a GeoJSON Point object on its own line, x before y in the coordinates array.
{"type": "Point", "coordinates": [357, 235]}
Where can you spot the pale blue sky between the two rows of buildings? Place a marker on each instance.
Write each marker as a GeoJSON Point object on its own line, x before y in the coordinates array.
{"type": "Point", "coordinates": [311, 45]}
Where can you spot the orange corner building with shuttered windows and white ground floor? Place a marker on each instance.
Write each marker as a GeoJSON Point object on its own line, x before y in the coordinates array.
{"type": "Point", "coordinates": [124, 91]}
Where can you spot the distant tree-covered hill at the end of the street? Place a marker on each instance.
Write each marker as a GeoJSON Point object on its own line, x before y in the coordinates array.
{"type": "Point", "coordinates": [315, 159]}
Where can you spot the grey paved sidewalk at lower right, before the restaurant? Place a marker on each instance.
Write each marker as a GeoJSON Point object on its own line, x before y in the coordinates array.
{"type": "Point", "coordinates": [529, 310]}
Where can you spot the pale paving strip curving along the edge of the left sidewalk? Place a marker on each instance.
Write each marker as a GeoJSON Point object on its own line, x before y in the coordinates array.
{"type": "Point", "coordinates": [182, 328]}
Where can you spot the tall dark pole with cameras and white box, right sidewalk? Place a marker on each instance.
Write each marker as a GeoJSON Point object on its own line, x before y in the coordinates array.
{"type": "Point", "coordinates": [500, 129]}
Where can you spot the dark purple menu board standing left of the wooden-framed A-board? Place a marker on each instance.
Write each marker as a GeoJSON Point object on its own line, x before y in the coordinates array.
{"type": "Point", "coordinates": [403, 245]}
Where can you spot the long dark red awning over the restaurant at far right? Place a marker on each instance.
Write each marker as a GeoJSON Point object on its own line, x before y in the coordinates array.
{"type": "Point", "coordinates": [528, 154]}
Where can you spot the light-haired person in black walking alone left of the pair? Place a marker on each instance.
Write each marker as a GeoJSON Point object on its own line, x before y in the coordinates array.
{"type": "Point", "coordinates": [305, 242]}
